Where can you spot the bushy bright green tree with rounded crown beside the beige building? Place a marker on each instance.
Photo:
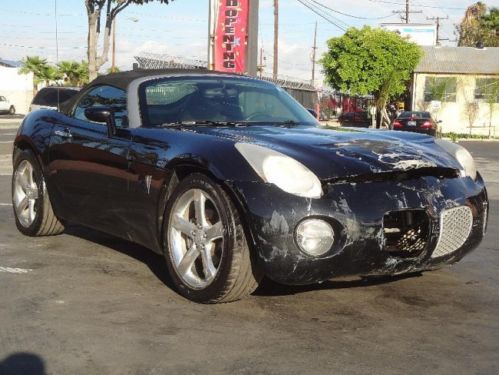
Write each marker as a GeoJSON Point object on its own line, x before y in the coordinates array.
{"type": "Point", "coordinates": [371, 61]}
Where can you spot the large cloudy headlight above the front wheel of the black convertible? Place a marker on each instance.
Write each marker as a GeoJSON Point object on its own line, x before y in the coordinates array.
{"type": "Point", "coordinates": [285, 172]}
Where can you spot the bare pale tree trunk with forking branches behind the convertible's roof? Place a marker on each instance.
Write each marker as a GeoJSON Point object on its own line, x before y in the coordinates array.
{"type": "Point", "coordinates": [110, 8]}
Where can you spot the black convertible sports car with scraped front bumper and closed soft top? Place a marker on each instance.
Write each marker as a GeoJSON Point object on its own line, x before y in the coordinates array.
{"type": "Point", "coordinates": [231, 179]}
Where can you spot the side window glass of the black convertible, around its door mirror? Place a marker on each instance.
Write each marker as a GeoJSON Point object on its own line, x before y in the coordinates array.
{"type": "Point", "coordinates": [104, 96]}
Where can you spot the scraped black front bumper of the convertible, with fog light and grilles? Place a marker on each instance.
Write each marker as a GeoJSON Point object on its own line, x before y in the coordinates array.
{"type": "Point", "coordinates": [380, 224]}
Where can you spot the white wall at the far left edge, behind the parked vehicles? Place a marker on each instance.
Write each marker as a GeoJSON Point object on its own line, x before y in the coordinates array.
{"type": "Point", "coordinates": [17, 88]}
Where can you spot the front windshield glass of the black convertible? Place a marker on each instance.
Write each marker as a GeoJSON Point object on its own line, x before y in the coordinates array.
{"type": "Point", "coordinates": [218, 100]}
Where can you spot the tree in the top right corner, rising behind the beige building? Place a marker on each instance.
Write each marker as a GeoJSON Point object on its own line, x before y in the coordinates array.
{"type": "Point", "coordinates": [480, 25]}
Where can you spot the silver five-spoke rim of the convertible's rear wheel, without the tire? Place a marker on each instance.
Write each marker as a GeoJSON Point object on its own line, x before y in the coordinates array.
{"type": "Point", "coordinates": [25, 193]}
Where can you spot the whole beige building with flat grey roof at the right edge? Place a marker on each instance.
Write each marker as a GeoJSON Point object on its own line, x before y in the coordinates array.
{"type": "Point", "coordinates": [460, 87]}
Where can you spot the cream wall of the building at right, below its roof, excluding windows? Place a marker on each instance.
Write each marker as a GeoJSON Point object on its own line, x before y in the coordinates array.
{"type": "Point", "coordinates": [456, 116]}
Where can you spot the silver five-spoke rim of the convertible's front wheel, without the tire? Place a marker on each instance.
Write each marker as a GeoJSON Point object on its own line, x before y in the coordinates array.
{"type": "Point", "coordinates": [195, 238]}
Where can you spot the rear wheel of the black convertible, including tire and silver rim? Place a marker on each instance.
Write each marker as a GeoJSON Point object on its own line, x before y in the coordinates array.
{"type": "Point", "coordinates": [32, 208]}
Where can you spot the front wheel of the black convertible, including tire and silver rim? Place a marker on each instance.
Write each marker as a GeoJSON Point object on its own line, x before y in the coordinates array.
{"type": "Point", "coordinates": [205, 244]}
